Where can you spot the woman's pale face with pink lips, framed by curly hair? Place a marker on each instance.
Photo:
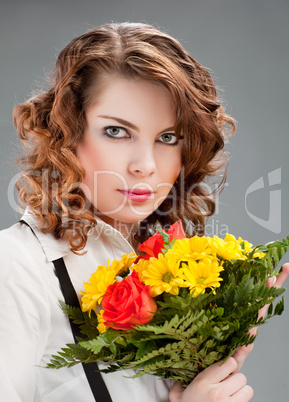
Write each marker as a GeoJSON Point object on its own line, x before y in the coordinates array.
{"type": "Point", "coordinates": [129, 151]}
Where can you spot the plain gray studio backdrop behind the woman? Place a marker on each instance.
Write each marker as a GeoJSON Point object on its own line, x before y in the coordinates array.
{"type": "Point", "coordinates": [246, 46]}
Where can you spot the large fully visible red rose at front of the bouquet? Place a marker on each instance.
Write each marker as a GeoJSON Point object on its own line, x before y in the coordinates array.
{"type": "Point", "coordinates": [128, 303]}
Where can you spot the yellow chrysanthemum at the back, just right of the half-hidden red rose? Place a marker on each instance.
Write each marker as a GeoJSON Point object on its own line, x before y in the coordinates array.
{"type": "Point", "coordinates": [194, 248]}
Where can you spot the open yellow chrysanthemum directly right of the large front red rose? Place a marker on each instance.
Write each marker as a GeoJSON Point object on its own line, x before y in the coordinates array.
{"type": "Point", "coordinates": [162, 274]}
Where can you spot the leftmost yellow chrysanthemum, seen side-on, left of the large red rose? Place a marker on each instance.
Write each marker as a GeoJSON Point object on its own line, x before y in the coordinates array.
{"type": "Point", "coordinates": [98, 283]}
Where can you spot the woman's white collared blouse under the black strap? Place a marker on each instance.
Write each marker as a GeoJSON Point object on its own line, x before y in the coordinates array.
{"type": "Point", "coordinates": [33, 326]}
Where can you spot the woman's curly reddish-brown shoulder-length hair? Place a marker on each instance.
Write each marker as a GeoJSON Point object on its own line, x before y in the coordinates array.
{"type": "Point", "coordinates": [51, 125]}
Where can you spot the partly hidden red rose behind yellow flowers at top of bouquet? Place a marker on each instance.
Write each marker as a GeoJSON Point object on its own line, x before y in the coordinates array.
{"type": "Point", "coordinates": [154, 244]}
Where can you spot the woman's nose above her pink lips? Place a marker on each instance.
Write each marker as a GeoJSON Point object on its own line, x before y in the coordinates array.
{"type": "Point", "coordinates": [143, 161]}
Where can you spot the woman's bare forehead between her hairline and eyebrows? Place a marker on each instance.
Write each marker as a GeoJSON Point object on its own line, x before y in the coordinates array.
{"type": "Point", "coordinates": [133, 99]}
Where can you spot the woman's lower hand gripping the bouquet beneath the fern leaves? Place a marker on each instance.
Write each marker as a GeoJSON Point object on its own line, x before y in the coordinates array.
{"type": "Point", "coordinates": [216, 383]}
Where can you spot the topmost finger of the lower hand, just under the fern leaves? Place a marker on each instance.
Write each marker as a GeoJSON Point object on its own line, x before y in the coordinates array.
{"type": "Point", "coordinates": [219, 371]}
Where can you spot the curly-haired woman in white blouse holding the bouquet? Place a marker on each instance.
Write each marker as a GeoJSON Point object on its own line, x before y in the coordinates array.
{"type": "Point", "coordinates": [122, 142]}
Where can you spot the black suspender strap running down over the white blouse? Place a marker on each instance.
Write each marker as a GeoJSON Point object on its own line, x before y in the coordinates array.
{"type": "Point", "coordinates": [94, 377]}
